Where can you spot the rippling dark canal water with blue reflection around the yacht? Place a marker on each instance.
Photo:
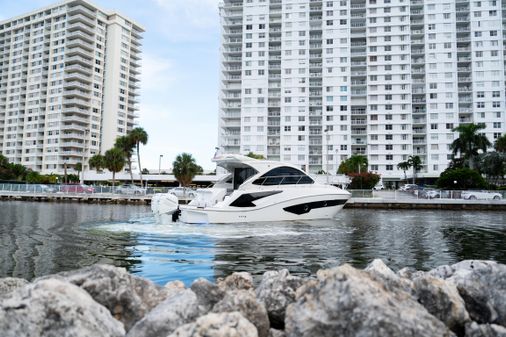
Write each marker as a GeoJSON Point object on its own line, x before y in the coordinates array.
{"type": "Point", "coordinates": [42, 238]}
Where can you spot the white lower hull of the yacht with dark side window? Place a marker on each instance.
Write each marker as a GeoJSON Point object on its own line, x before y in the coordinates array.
{"type": "Point", "coordinates": [306, 208]}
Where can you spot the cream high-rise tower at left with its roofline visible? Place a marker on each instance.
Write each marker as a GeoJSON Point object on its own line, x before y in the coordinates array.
{"type": "Point", "coordinates": [69, 77]}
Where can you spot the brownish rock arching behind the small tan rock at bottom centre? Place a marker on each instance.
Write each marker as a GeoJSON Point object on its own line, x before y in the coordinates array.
{"type": "Point", "coordinates": [244, 301]}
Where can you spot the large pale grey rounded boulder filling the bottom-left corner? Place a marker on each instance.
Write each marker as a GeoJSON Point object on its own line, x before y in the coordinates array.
{"type": "Point", "coordinates": [53, 307]}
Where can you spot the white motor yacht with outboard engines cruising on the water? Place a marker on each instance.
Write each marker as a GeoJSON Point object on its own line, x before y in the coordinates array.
{"type": "Point", "coordinates": [254, 191]}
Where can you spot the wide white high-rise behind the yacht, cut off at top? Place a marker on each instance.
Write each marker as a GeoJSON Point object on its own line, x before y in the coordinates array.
{"type": "Point", "coordinates": [313, 82]}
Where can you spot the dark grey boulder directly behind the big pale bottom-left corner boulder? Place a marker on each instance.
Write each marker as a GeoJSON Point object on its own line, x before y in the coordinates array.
{"type": "Point", "coordinates": [128, 298]}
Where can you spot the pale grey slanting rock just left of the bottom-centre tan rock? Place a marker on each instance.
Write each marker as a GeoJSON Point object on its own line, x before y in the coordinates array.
{"type": "Point", "coordinates": [179, 308]}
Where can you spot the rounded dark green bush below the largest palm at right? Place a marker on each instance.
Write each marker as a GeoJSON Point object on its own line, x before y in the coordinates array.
{"type": "Point", "coordinates": [461, 178]}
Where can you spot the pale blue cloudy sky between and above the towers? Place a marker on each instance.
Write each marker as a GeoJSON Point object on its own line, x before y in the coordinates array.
{"type": "Point", "coordinates": [180, 69]}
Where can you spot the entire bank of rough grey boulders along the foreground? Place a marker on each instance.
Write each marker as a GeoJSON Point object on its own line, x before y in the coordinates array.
{"type": "Point", "coordinates": [465, 299]}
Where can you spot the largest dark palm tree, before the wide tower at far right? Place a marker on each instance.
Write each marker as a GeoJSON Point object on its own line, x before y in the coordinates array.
{"type": "Point", "coordinates": [469, 142]}
